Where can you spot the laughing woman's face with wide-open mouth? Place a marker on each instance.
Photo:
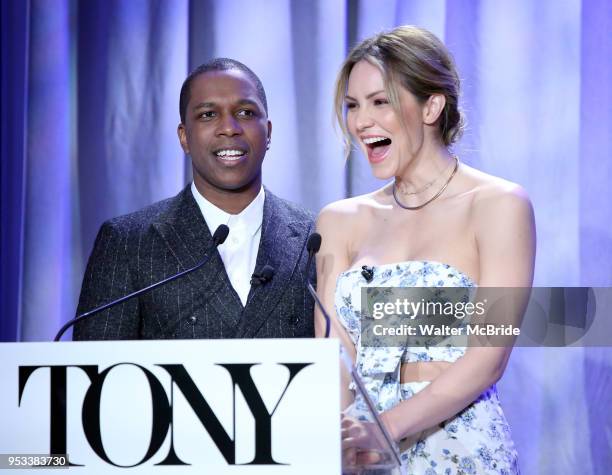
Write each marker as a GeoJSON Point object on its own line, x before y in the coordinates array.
{"type": "Point", "coordinates": [374, 124]}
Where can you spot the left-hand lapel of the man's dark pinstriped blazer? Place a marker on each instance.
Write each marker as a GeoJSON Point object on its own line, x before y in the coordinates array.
{"type": "Point", "coordinates": [186, 234]}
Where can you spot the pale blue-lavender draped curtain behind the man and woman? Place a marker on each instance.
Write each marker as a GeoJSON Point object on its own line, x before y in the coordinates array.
{"type": "Point", "coordinates": [90, 108]}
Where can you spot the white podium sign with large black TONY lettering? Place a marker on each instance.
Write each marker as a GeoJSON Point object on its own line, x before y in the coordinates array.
{"type": "Point", "coordinates": [181, 406]}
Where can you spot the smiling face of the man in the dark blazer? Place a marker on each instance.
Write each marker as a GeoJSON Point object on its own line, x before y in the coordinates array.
{"type": "Point", "coordinates": [226, 132]}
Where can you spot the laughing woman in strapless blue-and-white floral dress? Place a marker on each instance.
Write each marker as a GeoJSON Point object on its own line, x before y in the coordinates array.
{"type": "Point", "coordinates": [438, 222]}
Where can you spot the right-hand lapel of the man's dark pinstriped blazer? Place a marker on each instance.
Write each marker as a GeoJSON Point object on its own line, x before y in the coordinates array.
{"type": "Point", "coordinates": [280, 247]}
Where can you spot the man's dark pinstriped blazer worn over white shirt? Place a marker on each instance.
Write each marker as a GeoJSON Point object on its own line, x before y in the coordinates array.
{"type": "Point", "coordinates": [139, 249]}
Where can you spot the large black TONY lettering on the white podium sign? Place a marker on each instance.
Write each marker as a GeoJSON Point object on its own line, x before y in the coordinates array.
{"type": "Point", "coordinates": [162, 410]}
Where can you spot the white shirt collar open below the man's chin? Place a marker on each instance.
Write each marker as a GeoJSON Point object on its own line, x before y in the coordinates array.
{"type": "Point", "coordinates": [248, 220]}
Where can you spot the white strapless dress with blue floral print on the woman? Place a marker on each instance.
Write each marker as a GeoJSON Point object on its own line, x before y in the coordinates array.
{"type": "Point", "coordinates": [475, 441]}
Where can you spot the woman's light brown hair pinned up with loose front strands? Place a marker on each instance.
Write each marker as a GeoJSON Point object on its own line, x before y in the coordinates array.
{"type": "Point", "coordinates": [418, 61]}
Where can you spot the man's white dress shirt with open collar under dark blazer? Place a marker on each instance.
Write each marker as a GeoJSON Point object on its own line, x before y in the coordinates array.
{"type": "Point", "coordinates": [239, 251]}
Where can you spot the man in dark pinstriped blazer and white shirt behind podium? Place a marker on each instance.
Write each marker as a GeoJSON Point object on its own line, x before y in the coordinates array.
{"type": "Point", "coordinates": [225, 130]}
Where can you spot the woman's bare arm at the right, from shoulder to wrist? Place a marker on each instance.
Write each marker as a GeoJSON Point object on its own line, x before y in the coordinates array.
{"type": "Point", "coordinates": [505, 237]}
